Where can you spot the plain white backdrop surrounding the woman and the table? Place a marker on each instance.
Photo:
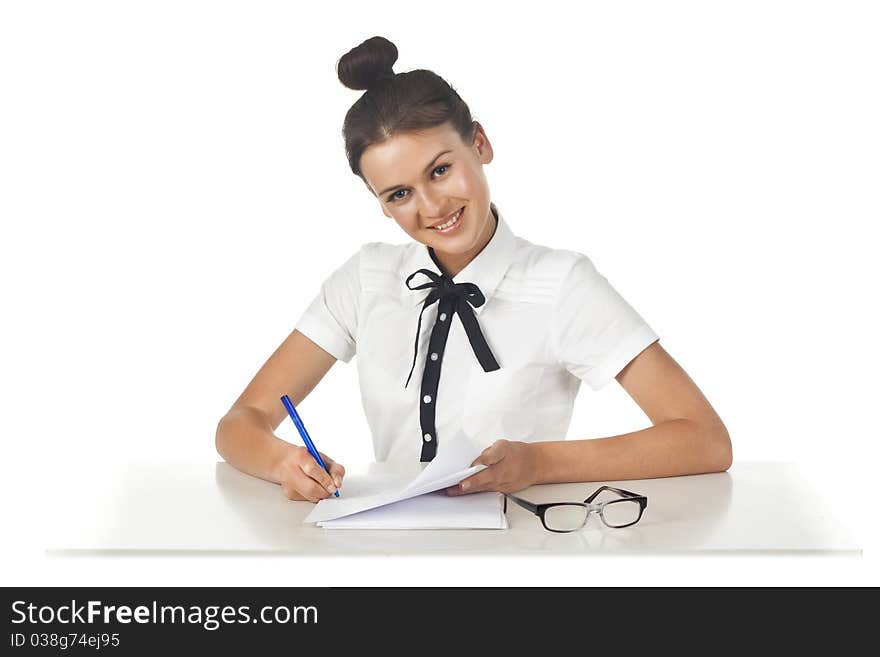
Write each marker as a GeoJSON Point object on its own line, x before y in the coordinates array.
{"type": "Point", "coordinates": [173, 190]}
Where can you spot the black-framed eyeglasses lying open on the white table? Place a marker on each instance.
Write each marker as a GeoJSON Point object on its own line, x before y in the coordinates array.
{"type": "Point", "coordinates": [623, 511]}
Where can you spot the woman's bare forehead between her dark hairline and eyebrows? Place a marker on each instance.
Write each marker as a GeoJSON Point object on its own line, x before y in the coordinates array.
{"type": "Point", "coordinates": [403, 157]}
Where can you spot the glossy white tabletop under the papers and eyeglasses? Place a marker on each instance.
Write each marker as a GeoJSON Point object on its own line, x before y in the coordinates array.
{"type": "Point", "coordinates": [211, 508]}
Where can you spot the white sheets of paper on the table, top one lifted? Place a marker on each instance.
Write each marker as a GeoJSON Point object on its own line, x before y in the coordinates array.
{"type": "Point", "coordinates": [394, 502]}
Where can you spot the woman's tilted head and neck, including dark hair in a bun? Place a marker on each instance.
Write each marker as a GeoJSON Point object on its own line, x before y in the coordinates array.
{"type": "Point", "coordinates": [429, 178]}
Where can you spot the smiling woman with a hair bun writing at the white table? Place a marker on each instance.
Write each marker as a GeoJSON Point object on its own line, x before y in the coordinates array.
{"type": "Point", "coordinates": [513, 327]}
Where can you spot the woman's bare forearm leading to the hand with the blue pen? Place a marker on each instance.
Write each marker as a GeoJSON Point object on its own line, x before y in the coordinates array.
{"type": "Point", "coordinates": [246, 441]}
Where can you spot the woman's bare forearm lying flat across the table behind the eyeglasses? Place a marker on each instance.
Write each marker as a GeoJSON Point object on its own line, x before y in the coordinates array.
{"type": "Point", "coordinates": [671, 448]}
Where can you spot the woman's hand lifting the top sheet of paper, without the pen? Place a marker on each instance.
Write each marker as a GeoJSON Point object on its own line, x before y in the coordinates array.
{"type": "Point", "coordinates": [511, 466]}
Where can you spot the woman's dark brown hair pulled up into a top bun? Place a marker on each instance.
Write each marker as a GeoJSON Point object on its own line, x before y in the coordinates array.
{"type": "Point", "coordinates": [394, 103]}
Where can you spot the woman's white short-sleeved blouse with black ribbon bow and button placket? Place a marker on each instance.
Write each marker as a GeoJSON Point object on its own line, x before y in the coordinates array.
{"type": "Point", "coordinates": [549, 320]}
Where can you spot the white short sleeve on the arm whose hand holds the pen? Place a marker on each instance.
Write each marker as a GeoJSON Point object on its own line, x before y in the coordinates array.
{"type": "Point", "coordinates": [330, 320]}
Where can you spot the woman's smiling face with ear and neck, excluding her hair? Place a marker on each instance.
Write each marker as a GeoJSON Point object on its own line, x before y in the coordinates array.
{"type": "Point", "coordinates": [423, 179]}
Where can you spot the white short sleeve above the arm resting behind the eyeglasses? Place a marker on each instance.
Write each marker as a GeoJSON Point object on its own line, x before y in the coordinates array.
{"type": "Point", "coordinates": [596, 333]}
